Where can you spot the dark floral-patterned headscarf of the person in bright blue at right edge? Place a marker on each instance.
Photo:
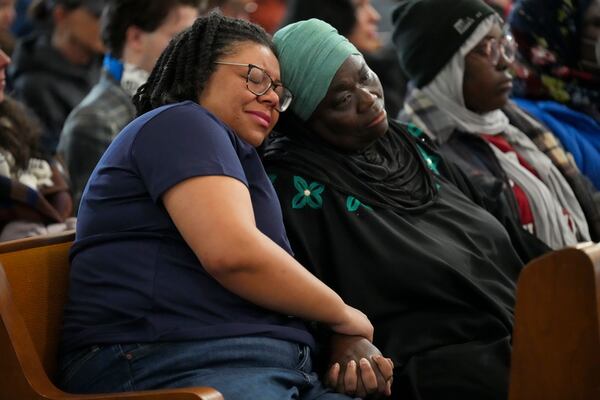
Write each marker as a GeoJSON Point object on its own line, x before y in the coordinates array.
{"type": "Point", "coordinates": [548, 35]}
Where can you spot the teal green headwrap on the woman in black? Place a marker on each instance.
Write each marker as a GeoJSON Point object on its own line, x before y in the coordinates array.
{"type": "Point", "coordinates": [310, 53]}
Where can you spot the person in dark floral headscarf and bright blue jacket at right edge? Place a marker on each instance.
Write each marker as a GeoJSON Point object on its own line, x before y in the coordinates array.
{"type": "Point", "coordinates": [559, 82]}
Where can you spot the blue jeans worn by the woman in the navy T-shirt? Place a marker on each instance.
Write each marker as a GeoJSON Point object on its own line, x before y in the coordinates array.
{"type": "Point", "coordinates": [239, 368]}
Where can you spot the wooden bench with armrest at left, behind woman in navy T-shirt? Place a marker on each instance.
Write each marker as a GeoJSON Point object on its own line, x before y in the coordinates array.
{"type": "Point", "coordinates": [33, 290]}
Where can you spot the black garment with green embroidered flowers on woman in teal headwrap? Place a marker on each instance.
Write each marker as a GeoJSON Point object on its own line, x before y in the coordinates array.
{"type": "Point", "coordinates": [437, 282]}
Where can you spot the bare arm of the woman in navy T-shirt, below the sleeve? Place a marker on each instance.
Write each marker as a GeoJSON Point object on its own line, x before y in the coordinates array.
{"type": "Point", "coordinates": [223, 234]}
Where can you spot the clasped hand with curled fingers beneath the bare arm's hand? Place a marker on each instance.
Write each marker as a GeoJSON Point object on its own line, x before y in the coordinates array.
{"type": "Point", "coordinates": [358, 368]}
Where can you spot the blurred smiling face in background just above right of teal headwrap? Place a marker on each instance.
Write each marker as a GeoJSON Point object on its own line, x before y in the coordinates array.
{"type": "Point", "coordinates": [365, 34]}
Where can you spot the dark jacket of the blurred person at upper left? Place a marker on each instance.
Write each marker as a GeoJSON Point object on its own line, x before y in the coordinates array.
{"type": "Point", "coordinates": [49, 84]}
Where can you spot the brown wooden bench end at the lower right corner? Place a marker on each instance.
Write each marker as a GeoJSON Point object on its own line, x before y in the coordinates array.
{"type": "Point", "coordinates": [556, 338]}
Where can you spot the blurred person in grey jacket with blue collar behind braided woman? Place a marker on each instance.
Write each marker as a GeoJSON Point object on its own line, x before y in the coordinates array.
{"type": "Point", "coordinates": [135, 32]}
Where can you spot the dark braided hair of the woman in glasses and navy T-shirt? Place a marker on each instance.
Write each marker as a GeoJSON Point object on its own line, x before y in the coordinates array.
{"type": "Point", "coordinates": [183, 69]}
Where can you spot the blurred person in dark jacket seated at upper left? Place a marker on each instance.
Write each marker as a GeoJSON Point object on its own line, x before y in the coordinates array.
{"type": "Point", "coordinates": [56, 66]}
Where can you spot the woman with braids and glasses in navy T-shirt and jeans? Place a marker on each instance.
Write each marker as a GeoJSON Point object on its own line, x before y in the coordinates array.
{"type": "Point", "coordinates": [181, 271]}
